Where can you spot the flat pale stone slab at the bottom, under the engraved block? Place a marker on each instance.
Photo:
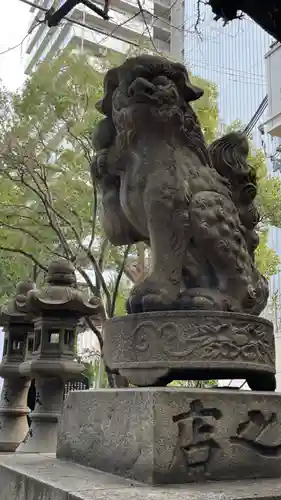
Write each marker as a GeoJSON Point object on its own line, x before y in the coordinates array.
{"type": "Point", "coordinates": [43, 477]}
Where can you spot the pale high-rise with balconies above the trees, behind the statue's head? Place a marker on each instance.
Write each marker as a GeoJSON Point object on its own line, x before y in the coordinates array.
{"type": "Point", "coordinates": [126, 27]}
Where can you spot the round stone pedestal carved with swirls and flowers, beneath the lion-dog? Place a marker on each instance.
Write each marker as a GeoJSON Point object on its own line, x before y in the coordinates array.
{"type": "Point", "coordinates": [159, 347]}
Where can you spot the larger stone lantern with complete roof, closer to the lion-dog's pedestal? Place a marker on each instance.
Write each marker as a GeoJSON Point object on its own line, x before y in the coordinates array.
{"type": "Point", "coordinates": [57, 309]}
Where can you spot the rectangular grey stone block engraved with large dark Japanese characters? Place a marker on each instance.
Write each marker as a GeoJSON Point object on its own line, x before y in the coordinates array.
{"type": "Point", "coordinates": [174, 435]}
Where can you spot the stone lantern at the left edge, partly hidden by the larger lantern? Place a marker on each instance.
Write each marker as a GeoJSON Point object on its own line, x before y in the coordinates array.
{"type": "Point", "coordinates": [18, 328]}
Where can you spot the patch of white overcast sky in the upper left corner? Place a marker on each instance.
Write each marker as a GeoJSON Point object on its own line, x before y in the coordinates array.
{"type": "Point", "coordinates": [14, 19]}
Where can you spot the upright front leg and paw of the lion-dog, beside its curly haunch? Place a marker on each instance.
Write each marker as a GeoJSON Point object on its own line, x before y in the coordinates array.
{"type": "Point", "coordinates": [165, 205]}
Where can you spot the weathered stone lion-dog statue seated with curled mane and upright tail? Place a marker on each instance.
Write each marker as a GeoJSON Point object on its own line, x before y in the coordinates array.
{"type": "Point", "coordinates": [160, 183]}
